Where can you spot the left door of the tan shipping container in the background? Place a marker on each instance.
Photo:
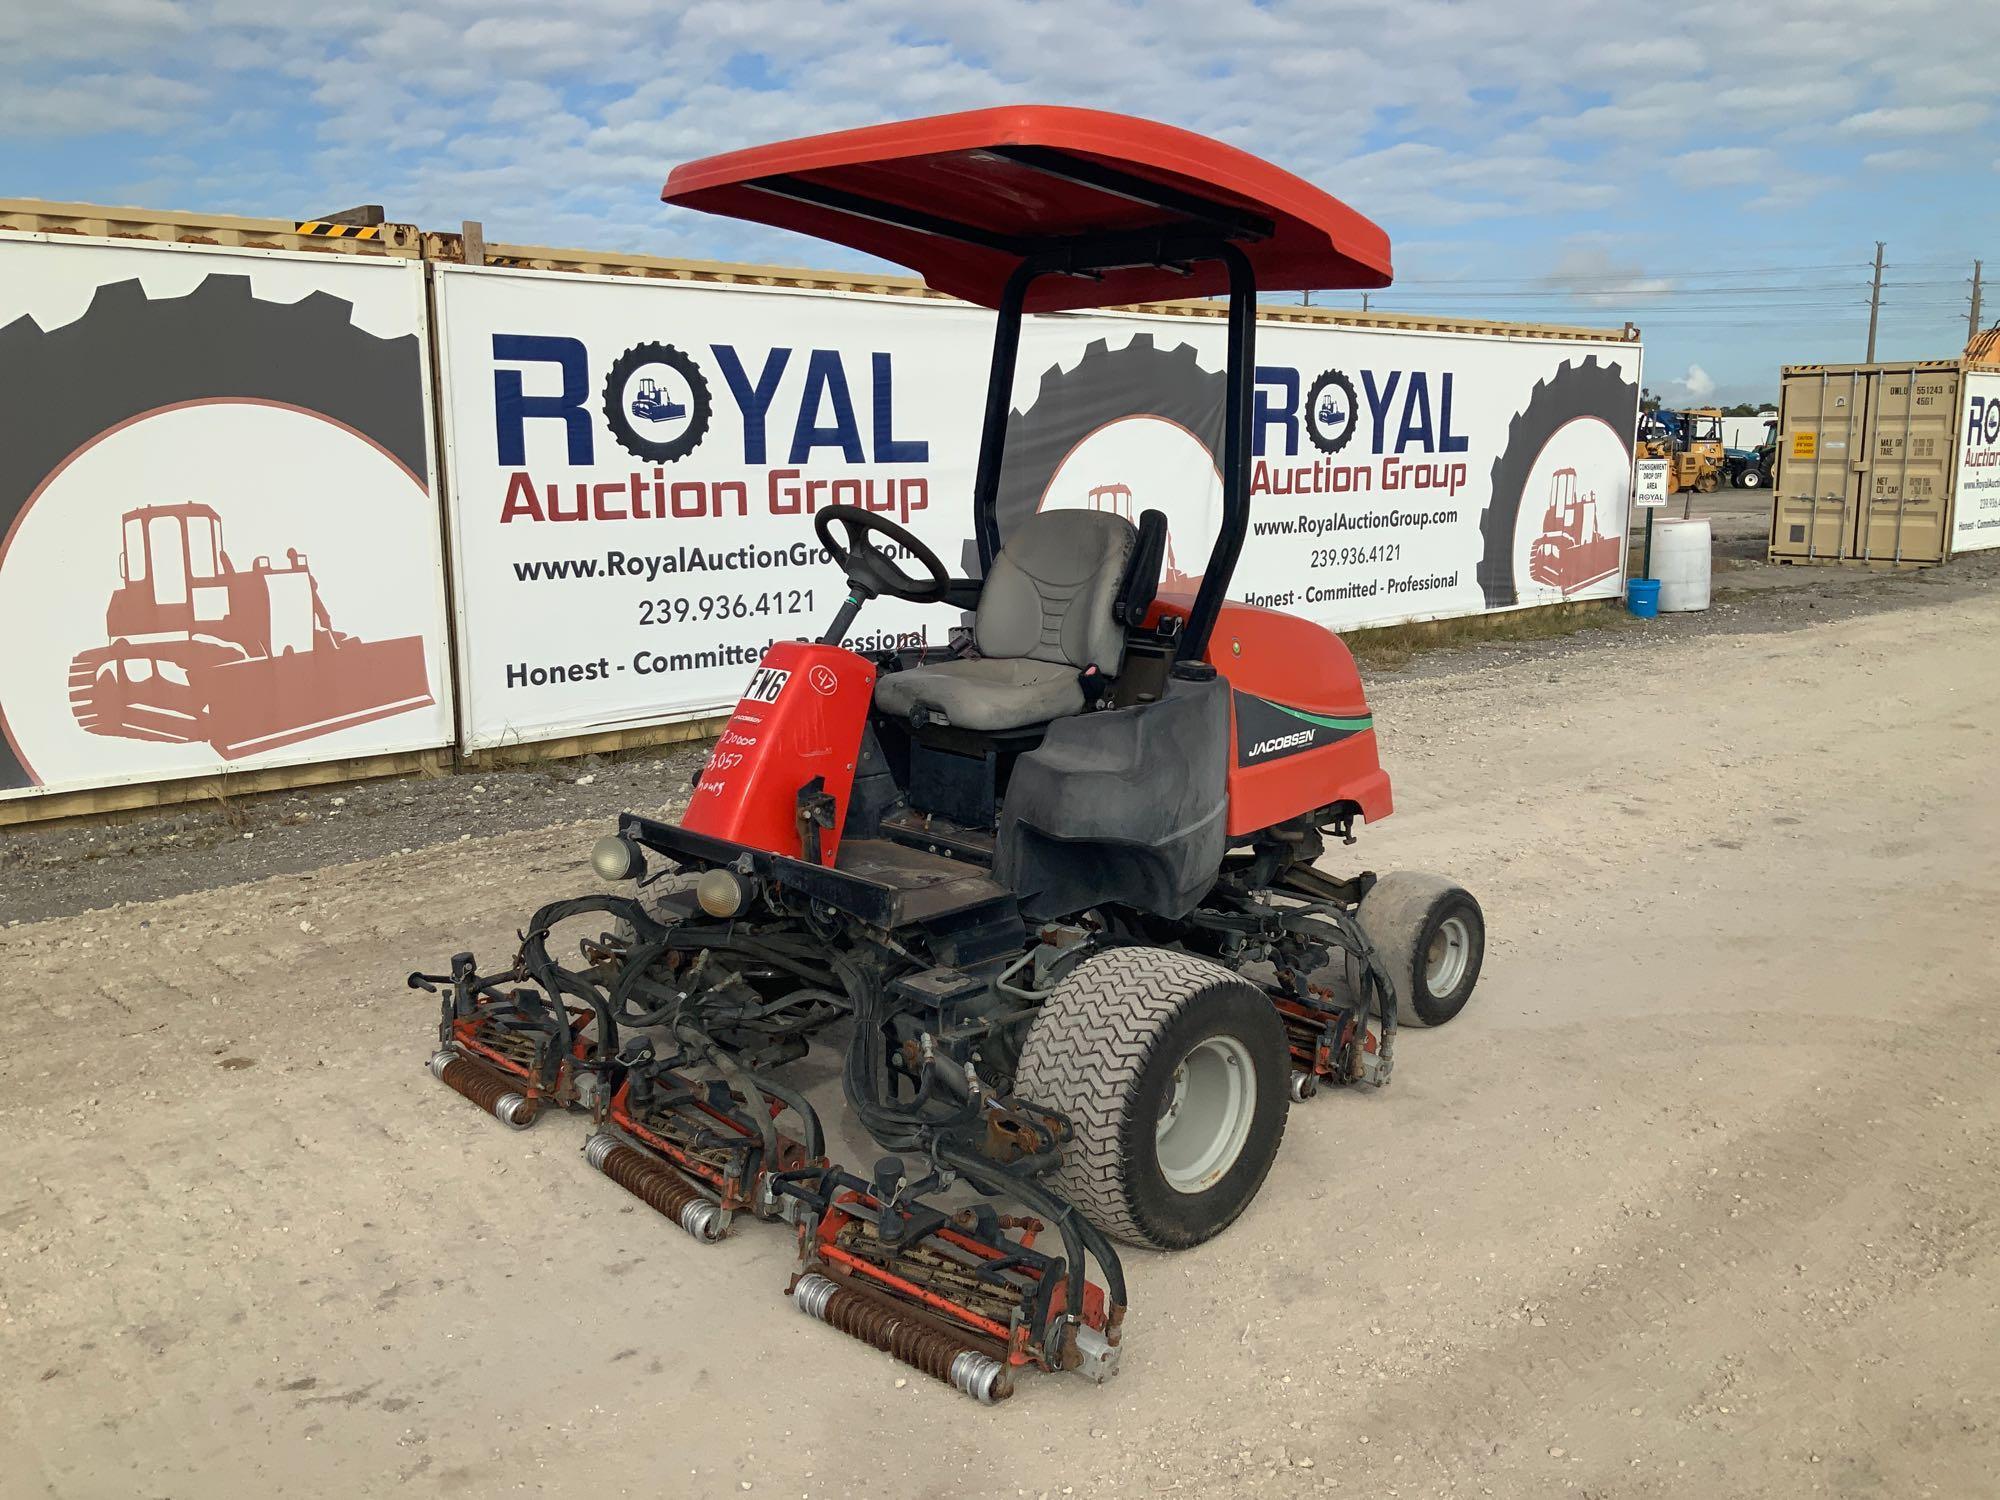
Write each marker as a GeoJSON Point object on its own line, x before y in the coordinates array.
{"type": "Point", "coordinates": [1817, 491]}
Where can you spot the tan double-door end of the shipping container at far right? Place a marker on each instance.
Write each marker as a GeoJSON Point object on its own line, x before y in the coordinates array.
{"type": "Point", "coordinates": [1867, 463]}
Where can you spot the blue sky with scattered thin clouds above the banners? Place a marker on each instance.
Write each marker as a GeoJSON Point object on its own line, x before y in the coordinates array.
{"type": "Point", "coordinates": [1717, 173]}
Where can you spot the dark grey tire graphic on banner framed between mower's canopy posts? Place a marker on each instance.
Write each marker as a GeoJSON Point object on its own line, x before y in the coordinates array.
{"type": "Point", "coordinates": [1107, 387]}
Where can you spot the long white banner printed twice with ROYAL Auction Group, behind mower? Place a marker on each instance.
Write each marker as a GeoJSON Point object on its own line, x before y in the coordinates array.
{"type": "Point", "coordinates": [635, 469]}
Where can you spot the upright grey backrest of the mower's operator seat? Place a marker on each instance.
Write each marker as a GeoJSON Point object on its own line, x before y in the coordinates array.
{"type": "Point", "coordinates": [1053, 591]}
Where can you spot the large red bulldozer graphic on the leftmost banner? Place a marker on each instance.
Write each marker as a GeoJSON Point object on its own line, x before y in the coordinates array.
{"type": "Point", "coordinates": [245, 659]}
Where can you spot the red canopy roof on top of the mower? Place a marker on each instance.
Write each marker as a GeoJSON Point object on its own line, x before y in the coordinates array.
{"type": "Point", "coordinates": [963, 199]}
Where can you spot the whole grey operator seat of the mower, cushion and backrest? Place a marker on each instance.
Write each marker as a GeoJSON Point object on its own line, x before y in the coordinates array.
{"type": "Point", "coordinates": [1055, 605]}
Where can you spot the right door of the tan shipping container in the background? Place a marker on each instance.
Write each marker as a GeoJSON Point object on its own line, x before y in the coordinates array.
{"type": "Point", "coordinates": [1909, 467]}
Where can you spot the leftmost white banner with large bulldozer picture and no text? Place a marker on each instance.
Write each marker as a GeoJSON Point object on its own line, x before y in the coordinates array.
{"type": "Point", "coordinates": [221, 543]}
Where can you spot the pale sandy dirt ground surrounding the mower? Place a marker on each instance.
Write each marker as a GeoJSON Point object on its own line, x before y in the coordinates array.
{"type": "Point", "coordinates": [1699, 1199]}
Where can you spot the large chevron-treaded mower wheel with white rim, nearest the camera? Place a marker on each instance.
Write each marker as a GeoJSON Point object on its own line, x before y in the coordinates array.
{"type": "Point", "coordinates": [1175, 1077]}
